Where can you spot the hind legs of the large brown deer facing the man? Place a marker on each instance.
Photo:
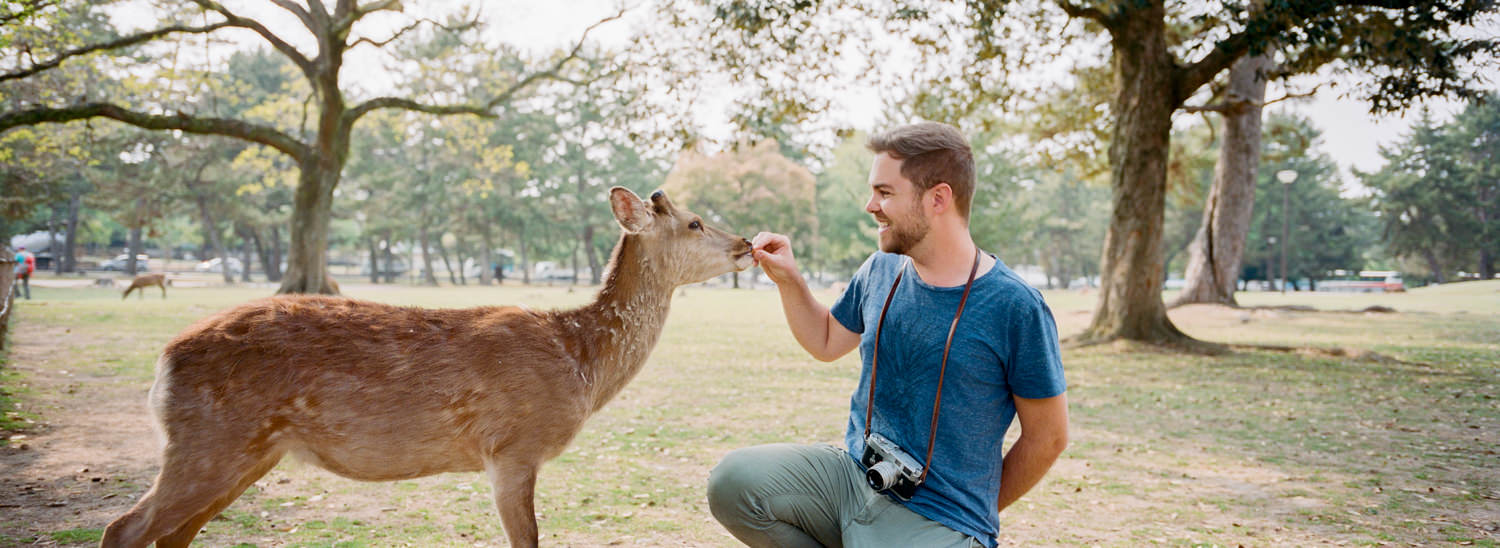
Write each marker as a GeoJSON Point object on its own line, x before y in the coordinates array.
{"type": "Point", "coordinates": [197, 481]}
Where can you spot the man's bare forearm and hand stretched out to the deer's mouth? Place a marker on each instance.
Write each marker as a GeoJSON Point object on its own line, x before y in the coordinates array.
{"type": "Point", "coordinates": [811, 322]}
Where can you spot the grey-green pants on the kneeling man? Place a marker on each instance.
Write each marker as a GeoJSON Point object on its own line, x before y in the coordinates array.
{"type": "Point", "coordinates": [814, 496]}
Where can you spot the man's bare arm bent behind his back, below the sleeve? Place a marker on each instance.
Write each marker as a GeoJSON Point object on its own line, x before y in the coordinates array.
{"type": "Point", "coordinates": [1045, 435]}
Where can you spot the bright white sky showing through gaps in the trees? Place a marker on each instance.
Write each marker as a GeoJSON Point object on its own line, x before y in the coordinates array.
{"type": "Point", "coordinates": [1352, 137]}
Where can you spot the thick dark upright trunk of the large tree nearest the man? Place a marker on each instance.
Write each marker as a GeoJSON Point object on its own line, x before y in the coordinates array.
{"type": "Point", "coordinates": [1130, 303]}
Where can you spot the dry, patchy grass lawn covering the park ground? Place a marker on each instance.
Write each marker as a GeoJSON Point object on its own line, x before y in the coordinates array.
{"type": "Point", "coordinates": [1397, 445]}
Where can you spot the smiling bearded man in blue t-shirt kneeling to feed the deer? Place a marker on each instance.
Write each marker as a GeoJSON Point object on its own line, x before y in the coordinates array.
{"type": "Point", "coordinates": [1003, 364]}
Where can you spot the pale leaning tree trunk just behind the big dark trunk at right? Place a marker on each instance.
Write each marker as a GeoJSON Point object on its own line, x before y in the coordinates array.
{"type": "Point", "coordinates": [1214, 257]}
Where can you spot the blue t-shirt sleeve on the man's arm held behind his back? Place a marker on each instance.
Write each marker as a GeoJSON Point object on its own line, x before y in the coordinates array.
{"type": "Point", "coordinates": [1036, 364]}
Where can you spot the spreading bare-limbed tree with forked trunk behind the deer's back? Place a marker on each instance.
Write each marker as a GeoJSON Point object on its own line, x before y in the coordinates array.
{"type": "Point", "coordinates": [320, 151]}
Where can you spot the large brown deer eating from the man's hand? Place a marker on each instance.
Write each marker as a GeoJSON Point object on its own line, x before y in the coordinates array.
{"type": "Point", "coordinates": [380, 393]}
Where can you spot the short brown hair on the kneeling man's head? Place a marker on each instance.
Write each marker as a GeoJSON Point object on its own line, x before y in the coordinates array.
{"type": "Point", "coordinates": [932, 154]}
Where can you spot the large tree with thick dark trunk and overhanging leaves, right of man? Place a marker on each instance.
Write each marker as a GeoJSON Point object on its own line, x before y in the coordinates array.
{"type": "Point", "coordinates": [1160, 58]}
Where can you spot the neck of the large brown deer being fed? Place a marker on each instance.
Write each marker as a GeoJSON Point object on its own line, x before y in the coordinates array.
{"type": "Point", "coordinates": [614, 336]}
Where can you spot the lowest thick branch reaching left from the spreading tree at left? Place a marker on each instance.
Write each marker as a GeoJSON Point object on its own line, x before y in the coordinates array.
{"type": "Point", "coordinates": [185, 122]}
